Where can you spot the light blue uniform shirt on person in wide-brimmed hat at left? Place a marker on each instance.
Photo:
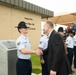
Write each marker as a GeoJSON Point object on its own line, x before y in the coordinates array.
{"type": "Point", "coordinates": [23, 42]}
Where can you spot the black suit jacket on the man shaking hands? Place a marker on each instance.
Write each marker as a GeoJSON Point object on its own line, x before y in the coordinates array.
{"type": "Point", "coordinates": [56, 56]}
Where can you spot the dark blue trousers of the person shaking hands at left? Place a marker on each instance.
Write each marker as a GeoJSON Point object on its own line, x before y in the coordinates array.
{"type": "Point", "coordinates": [23, 67]}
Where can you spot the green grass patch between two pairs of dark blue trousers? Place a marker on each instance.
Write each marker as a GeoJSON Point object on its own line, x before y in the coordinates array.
{"type": "Point", "coordinates": [36, 66]}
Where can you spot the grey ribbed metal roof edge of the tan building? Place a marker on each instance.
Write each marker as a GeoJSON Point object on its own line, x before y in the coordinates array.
{"type": "Point", "coordinates": [28, 7]}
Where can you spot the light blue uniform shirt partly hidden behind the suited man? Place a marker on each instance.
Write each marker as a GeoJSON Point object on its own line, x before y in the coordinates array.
{"type": "Point", "coordinates": [43, 43]}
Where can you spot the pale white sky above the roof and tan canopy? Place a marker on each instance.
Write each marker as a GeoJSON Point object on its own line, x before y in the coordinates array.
{"type": "Point", "coordinates": [58, 6]}
